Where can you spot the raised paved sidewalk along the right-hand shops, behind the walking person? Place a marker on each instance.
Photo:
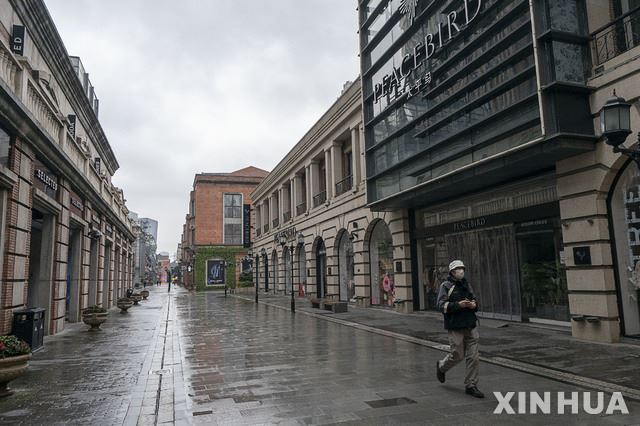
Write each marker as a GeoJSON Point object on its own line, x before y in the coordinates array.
{"type": "Point", "coordinates": [544, 351]}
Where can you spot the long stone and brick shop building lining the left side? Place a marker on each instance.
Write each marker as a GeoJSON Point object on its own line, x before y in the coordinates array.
{"type": "Point", "coordinates": [65, 238]}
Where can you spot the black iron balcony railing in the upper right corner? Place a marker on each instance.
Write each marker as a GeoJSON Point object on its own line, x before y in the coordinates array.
{"type": "Point", "coordinates": [617, 37]}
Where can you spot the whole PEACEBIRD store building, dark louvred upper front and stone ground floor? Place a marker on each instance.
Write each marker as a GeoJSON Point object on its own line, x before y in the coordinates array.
{"type": "Point", "coordinates": [480, 121]}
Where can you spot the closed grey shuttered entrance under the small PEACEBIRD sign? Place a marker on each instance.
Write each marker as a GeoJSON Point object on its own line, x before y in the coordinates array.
{"type": "Point", "coordinates": [491, 258]}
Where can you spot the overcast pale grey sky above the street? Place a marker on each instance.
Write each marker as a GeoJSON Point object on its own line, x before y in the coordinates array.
{"type": "Point", "coordinates": [205, 86]}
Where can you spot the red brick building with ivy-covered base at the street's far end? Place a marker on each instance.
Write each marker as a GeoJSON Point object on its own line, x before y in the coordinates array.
{"type": "Point", "coordinates": [217, 229]}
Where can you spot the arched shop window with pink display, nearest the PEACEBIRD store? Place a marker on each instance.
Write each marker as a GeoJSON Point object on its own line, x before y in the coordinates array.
{"type": "Point", "coordinates": [381, 258]}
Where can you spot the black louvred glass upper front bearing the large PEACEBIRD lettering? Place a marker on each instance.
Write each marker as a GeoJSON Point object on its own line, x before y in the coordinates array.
{"type": "Point", "coordinates": [439, 96]}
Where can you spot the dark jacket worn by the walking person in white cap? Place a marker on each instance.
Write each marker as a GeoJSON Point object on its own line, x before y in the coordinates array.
{"type": "Point", "coordinates": [455, 317]}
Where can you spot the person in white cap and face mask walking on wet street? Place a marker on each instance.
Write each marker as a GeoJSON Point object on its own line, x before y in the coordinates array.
{"type": "Point", "coordinates": [458, 304]}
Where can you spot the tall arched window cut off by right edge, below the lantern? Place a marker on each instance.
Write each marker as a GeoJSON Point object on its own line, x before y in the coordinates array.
{"type": "Point", "coordinates": [625, 213]}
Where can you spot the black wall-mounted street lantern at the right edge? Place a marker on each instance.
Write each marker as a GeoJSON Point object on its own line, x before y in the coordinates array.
{"type": "Point", "coordinates": [615, 123]}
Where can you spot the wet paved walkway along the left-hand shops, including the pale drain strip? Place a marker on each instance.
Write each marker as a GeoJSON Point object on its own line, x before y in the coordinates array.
{"type": "Point", "coordinates": [128, 373]}
